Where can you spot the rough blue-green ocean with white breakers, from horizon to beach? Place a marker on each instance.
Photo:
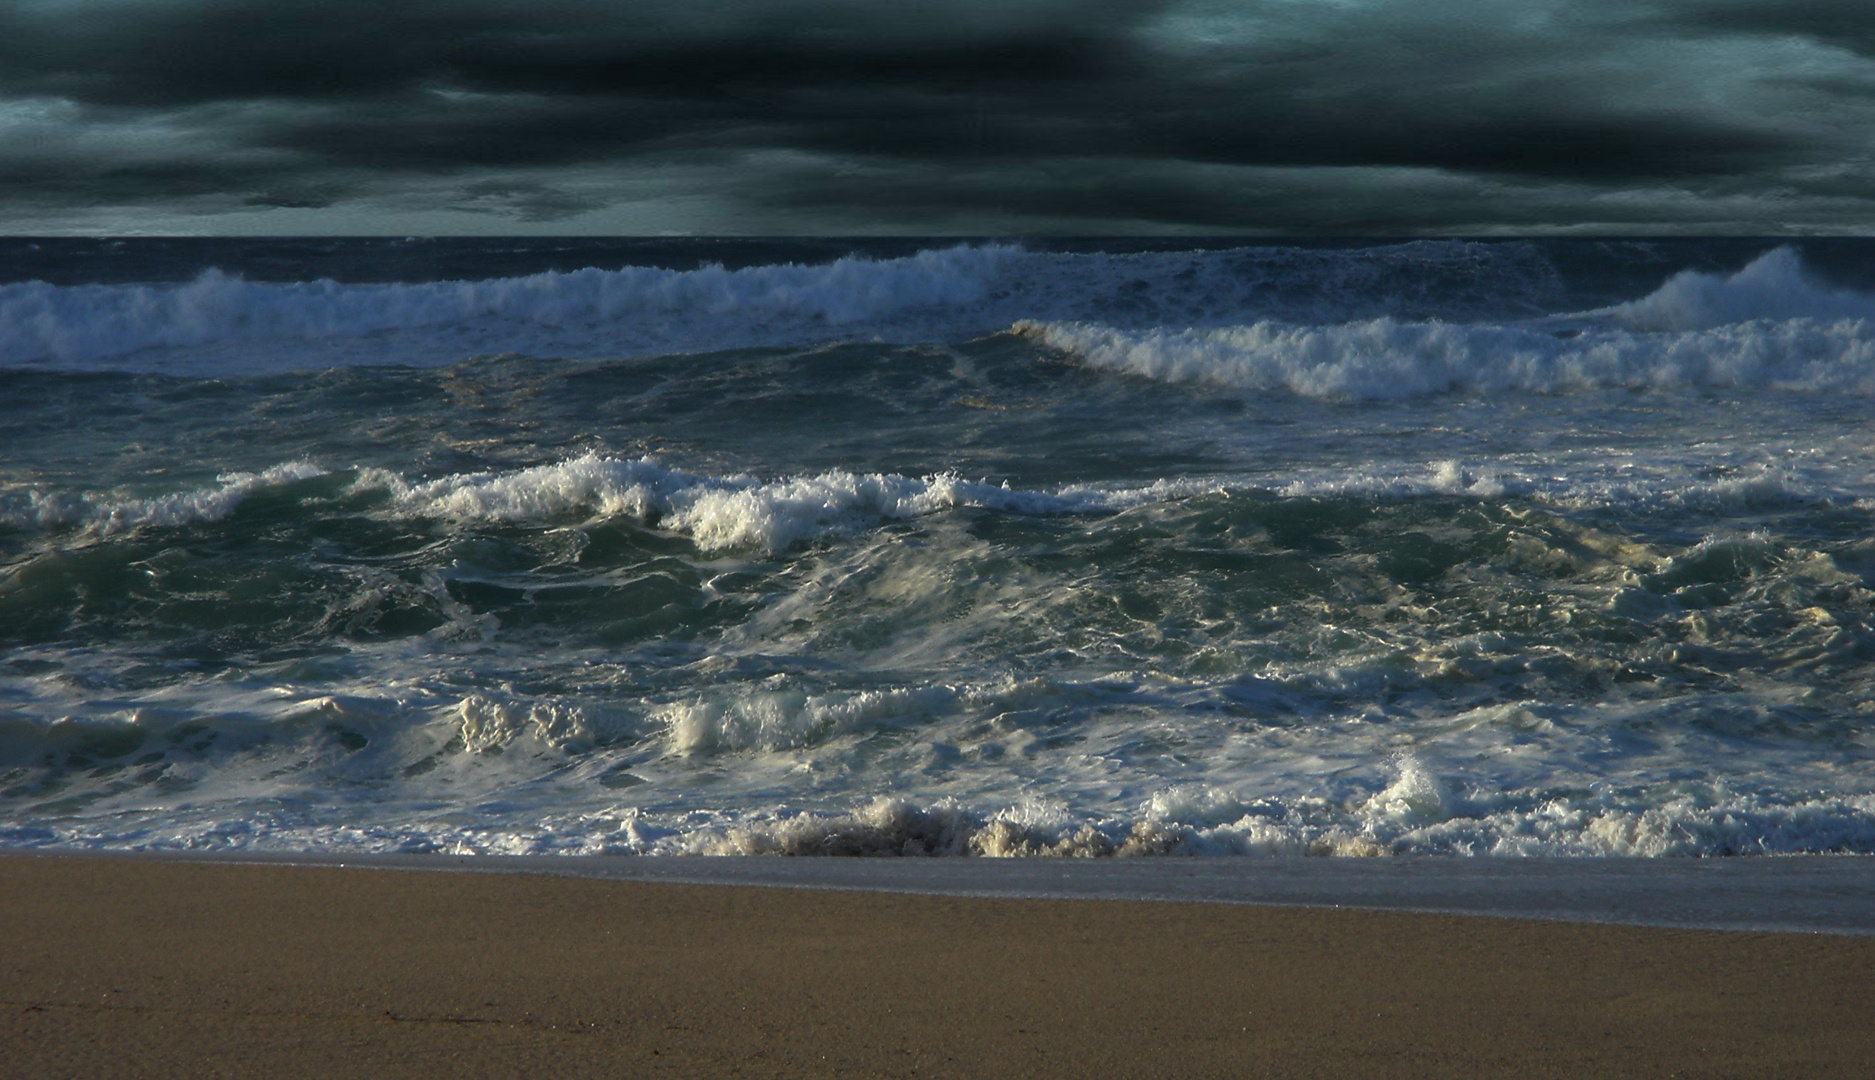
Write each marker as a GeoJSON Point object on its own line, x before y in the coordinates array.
{"type": "Point", "coordinates": [938, 548]}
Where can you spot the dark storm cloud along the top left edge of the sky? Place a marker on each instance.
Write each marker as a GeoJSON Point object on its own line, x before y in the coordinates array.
{"type": "Point", "coordinates": [190, 52]}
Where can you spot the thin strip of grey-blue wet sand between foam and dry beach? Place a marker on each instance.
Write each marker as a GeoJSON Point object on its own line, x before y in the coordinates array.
{"type": "Point", "coordinates": [1782, 893]}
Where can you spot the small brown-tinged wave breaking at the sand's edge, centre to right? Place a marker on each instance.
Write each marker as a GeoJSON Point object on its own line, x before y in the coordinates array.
{"type": "Point", "coordinates": [1413, 817]}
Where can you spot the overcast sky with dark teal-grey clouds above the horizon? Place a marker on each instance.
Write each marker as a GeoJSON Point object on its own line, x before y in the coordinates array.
{"type": "Point", "coordinates": [931, 117]}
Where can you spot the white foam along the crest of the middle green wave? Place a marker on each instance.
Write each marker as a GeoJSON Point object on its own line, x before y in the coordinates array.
{"type": "Point", "coordinates": [747, 513]}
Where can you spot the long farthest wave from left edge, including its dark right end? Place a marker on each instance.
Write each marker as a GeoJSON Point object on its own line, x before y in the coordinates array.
{"type": "Point", "coordinates": [220, 323]}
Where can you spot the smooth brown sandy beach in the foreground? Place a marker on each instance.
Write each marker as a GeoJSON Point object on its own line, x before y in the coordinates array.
{"type": "Point", "coordinates": [153, 968]}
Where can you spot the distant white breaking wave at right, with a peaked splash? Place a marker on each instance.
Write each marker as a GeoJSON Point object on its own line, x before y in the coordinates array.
{"type": "Point", "coordinates": [1767, 325]}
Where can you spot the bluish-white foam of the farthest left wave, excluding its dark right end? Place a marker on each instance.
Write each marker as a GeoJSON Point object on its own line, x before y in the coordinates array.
{"type": "Point", "coordinates": [100, 323]}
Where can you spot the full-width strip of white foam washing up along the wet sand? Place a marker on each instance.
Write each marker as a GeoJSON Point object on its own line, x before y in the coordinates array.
{"type": "Point", "coordinates": [1690, 828]}
